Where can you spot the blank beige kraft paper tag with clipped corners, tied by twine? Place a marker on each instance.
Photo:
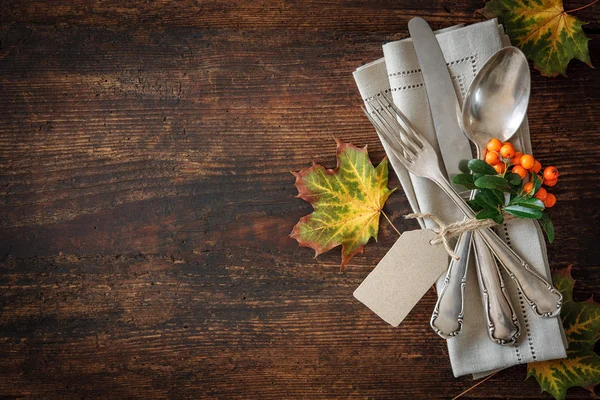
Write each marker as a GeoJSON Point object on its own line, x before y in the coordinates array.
{"type": "Point", "coordinates": [403, 276]}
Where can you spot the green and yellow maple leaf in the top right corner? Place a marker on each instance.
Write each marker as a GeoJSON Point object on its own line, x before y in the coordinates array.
{"type": "Point", "coordinates": [544, 31]}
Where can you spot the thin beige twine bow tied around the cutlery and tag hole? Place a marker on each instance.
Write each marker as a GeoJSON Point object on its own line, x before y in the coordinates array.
{"type": "Point", "coordinates": [444, 232]}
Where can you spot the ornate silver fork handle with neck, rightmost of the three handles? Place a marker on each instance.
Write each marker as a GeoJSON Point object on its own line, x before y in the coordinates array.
{"type": "Point", "coordinates": [543, 298]}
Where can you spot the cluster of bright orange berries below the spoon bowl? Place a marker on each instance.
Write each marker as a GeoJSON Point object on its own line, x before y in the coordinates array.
{"type": "Point", "coordinates": [503, 157]}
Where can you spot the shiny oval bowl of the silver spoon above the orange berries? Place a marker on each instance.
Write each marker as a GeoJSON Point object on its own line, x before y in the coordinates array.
{"type": "Point", "coordinates": [497, 99]}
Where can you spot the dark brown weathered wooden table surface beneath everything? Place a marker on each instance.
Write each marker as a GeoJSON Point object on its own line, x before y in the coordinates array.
{"type": "Point", "coordinates": [146, 199]}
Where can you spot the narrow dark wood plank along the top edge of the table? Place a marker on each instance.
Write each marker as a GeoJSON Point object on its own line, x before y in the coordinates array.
{"type": "Point", "coordinates": [350, 15]}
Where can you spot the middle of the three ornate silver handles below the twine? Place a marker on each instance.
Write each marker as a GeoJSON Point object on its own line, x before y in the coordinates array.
{"type": "Point", "coordinates": [502, 322]}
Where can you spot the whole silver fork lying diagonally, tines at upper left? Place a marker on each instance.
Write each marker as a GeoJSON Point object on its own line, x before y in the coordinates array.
{"type": "Point", "coordinates": [419, 157]}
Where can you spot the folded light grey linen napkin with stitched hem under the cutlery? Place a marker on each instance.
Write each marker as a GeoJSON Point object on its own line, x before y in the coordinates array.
{"type": "Point", "coordinates": [466, 48]}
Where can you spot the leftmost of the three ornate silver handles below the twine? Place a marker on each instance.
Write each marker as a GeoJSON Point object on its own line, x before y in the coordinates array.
{"type": "Point", "coordinates": [447, 317]}
